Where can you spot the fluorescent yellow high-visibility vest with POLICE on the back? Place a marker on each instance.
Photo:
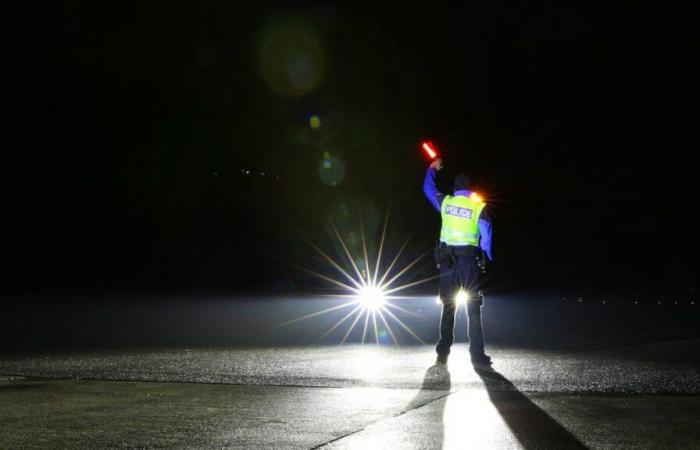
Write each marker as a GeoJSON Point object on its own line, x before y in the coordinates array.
{"type": "Point", "coordinates": [460, 220]}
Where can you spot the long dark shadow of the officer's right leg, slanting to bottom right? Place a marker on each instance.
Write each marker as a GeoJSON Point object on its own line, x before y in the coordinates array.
{"type": "Point", "coordinates": [533, 427]}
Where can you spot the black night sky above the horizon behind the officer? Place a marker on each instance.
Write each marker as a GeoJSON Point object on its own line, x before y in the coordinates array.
{"type": "Point", "coordinates": [130, 129]}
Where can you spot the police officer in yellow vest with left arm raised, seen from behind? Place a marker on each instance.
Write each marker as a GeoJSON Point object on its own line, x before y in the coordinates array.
{"type": "Point", "coordinates": [466, 233]}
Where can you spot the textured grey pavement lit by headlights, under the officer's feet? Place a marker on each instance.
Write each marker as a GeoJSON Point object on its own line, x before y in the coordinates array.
{"type": "Point", "coordinates": [636, 396]}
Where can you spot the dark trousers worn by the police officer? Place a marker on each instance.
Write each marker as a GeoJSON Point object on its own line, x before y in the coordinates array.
{"type": "Point", "coordinates": [460, 272]}
